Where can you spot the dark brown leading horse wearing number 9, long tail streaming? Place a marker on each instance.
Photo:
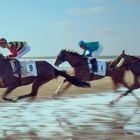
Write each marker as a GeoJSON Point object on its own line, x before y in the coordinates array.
{"type": "Point", "coordinates": [45, 73]}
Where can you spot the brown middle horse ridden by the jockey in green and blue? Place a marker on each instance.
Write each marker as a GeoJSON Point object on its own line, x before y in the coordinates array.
{"type": "Point", "coordinates": [81, 70]}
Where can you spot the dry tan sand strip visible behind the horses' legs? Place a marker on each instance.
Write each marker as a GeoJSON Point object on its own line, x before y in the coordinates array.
{"type": "Point", "coordinates": [48, 89]}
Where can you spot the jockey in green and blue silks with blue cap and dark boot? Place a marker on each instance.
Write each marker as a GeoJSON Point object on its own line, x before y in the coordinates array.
{"type": "Point", "coordinates": [91, 50]}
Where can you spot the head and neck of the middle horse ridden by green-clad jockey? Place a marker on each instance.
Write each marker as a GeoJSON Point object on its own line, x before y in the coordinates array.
{"type": "Point", "coordinates": [66, 55]}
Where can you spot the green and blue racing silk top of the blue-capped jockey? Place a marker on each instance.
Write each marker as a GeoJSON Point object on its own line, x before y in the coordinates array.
{"type": "Point", "coordinates": [90, 47]}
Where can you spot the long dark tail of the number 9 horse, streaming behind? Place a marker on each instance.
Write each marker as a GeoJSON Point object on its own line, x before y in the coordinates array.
{"type": "Point", "coordinates": [72, 79]}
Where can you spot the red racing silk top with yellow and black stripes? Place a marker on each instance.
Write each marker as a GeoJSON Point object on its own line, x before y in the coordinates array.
{"type": "Point", "coordinates": [14, 47]}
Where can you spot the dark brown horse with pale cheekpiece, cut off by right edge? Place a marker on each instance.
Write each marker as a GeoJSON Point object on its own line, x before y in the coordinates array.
{"type": "Point", "coordinates": [131, 63]}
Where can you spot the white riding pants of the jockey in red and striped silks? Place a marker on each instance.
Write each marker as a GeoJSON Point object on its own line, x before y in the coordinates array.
{"type": "Point", "coordinates": [23, 51]}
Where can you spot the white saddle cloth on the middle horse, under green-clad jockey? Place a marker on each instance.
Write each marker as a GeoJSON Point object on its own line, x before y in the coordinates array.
{"type": "Point", "coordinates": [101, 68]}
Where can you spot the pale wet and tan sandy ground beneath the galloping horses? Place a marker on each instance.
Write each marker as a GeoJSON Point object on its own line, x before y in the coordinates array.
{"type": "Point", "coordinates": [80, 114]}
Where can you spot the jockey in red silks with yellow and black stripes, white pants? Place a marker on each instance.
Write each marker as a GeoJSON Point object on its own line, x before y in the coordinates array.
{"type": "Point", "coordinates": [17, 48]}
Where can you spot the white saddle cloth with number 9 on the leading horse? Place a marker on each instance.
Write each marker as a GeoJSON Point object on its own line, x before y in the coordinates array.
{"type": "Point", "coordinates": [28, 68]}
